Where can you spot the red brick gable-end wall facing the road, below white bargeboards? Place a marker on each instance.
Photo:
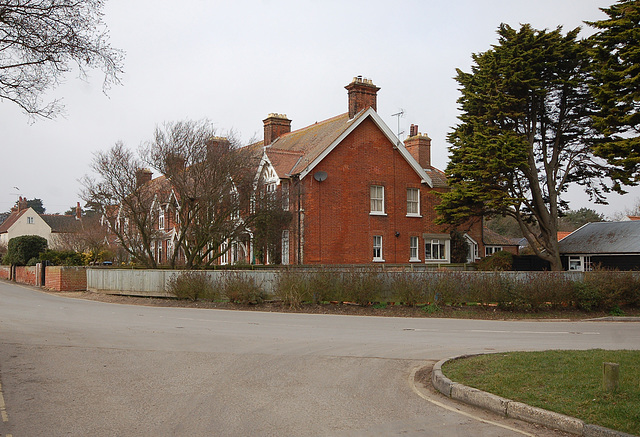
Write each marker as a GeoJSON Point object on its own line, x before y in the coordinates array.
{"type": "Point", "coordinates": [338, 227]}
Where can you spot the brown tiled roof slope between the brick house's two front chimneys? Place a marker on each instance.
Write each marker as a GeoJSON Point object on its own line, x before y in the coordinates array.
{"type": "Point", "coordinates": [296, 150]}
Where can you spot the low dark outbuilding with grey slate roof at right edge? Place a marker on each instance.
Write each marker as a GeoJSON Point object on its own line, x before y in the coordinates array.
{"type": "Point", "coordinates": [605, 244]}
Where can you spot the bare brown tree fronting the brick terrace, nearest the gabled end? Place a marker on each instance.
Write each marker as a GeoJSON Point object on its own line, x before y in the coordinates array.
{"type": "Point", "coordinates": [211, 178]}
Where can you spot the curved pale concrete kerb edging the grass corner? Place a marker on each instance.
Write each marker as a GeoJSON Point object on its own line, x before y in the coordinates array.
{"type": "Point", "coordinates": [512, 409]}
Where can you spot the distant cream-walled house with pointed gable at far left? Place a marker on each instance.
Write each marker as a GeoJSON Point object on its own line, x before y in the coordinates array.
{"type": "Point", "coordinates": [23, 220]}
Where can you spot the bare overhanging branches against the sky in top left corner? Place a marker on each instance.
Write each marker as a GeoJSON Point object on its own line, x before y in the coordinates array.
{"type": "Point", "coordinates": [41, 40]}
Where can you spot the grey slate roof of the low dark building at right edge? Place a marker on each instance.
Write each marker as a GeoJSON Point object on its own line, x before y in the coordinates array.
{"type": "Point", "coordinates": [603, 238]}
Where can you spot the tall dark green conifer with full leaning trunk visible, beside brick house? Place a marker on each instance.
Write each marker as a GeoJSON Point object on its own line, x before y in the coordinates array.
{"type": "Point", "coordinates": [525, 134]}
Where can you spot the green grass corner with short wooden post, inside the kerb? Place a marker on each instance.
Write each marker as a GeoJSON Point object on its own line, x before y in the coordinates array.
{"type": "Point", "coordinates": [567, 382]}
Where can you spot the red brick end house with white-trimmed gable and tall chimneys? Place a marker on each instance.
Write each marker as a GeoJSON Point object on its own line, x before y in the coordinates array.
{"type": "Point", "coordinates": [357, 194]}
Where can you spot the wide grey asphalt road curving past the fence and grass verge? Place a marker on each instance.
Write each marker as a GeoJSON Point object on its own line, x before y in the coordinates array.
{"type": "Point", "coordinates": [83, 368]}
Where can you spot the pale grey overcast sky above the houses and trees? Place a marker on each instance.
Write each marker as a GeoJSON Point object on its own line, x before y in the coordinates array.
{"type": "Point", "coordinates": [234, 62]}
